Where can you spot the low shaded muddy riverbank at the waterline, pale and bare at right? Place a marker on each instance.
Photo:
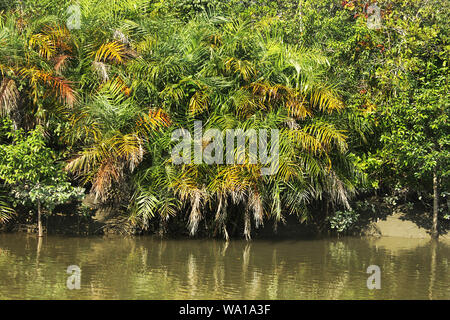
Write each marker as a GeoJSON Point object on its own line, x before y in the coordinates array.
{"type": "Point", "coordinates": [397, 224]}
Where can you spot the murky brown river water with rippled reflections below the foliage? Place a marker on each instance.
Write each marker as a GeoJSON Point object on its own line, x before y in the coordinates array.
{"type": "Point", "coordinates": [147, 268]}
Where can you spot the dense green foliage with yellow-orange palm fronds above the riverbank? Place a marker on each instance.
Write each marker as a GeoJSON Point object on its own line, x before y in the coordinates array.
{"type": "Point", "coordinates": [361, 108]}
